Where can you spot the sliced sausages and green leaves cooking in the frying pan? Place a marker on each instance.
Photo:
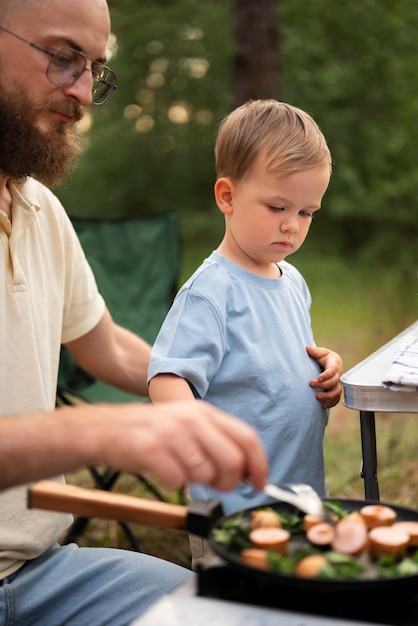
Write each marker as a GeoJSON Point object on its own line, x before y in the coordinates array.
{"type": "Point", "coordinates": [357, 547]}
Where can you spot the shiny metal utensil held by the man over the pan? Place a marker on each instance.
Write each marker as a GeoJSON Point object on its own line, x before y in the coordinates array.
{"type": "Point", "coordinates": [301, 496]}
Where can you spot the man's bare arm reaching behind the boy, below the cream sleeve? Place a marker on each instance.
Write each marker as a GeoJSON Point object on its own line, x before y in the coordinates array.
{"type": "Point", "coordinates": [114, 355]}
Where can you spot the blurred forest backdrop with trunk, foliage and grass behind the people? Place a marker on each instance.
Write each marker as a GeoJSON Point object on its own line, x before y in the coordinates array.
{"type": "Point", "coordinates": [182, 65]}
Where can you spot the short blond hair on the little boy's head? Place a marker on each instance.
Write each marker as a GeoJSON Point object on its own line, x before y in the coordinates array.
{"type": "Point", "coordinates": [286, 136]}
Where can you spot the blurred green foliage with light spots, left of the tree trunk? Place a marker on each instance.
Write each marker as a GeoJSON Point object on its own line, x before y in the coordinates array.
{"type": "Point", "coordinates": [150, 146]}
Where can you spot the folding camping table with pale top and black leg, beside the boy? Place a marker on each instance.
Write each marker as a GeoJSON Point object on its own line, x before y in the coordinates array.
{"type": "Point", "coordinates": [363, 391]}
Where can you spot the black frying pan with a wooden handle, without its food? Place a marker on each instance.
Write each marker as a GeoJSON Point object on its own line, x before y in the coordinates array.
{"type": "Point", "coordinates": [201, 518]}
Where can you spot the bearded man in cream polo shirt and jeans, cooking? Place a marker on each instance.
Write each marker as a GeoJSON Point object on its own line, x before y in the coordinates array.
{"type": "Point", "coordinates": [52, 65]}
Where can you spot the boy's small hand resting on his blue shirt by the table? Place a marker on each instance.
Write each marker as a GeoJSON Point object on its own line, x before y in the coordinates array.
{"type": "Point", "coordinates": [329, 379]}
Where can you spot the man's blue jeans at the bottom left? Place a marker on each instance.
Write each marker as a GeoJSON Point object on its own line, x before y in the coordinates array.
{"type": "Point", "coordinates": [72, 586]}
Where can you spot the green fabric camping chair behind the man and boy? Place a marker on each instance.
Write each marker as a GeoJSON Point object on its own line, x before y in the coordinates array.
{"type": "Point", "coordinates": [136, 263]}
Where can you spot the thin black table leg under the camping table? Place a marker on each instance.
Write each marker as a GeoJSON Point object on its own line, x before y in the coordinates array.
{"type": "Point", "coordinates": [368, 445]}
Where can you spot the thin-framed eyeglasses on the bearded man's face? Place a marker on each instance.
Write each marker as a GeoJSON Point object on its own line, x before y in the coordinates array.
{"type": "Point", "coordinates": [67, 65]}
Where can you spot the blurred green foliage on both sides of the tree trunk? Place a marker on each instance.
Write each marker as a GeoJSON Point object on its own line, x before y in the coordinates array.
{"type": "Point", "coordinates": [351, 65]}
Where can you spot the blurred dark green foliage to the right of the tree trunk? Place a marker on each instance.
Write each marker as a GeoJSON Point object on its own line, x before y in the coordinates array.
{"type": "Point", "coordinates": [352, 65]}
